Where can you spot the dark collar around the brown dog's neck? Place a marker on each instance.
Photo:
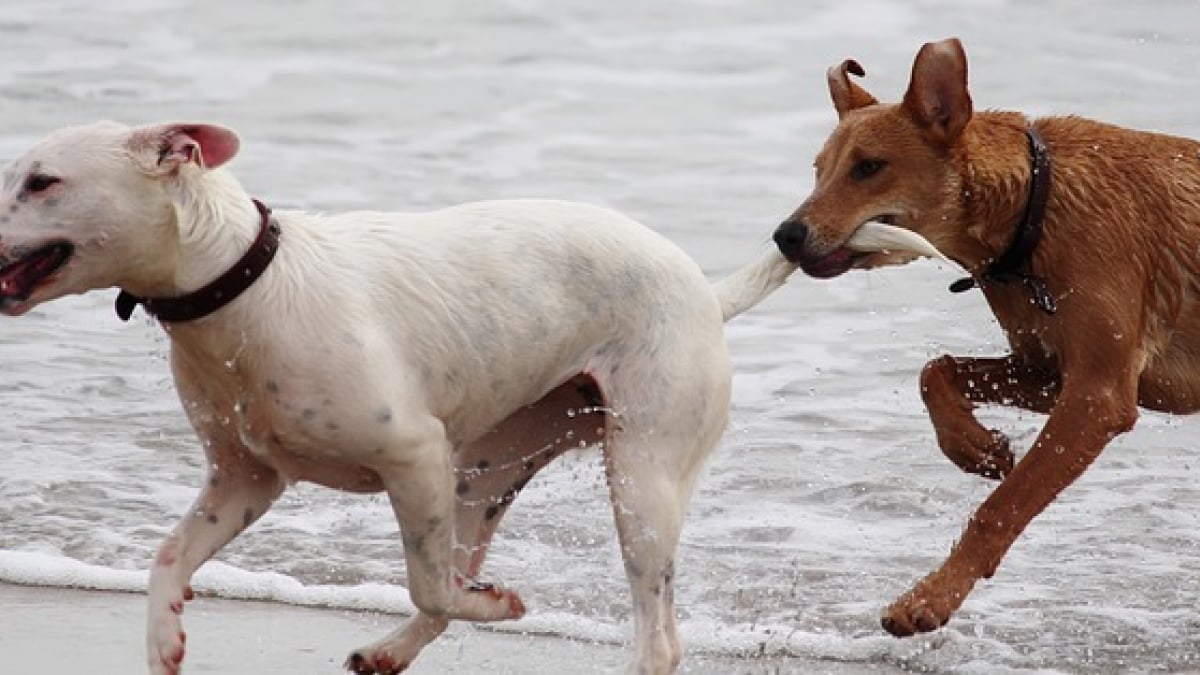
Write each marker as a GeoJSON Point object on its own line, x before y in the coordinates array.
{"type": "Point", "coordinates": [1009, 266]}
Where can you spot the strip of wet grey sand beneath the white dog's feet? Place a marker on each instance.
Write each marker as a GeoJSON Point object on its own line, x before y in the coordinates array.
{"type": "Point", "coordinates": [100, 634]}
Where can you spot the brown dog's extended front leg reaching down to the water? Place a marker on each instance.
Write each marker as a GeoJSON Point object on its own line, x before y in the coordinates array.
{"type": "Point", "coordinates": [1085, 420]}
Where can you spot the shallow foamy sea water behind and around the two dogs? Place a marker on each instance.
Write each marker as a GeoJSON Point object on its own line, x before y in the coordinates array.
{"type": "Point", "coordinates": [827, 497]}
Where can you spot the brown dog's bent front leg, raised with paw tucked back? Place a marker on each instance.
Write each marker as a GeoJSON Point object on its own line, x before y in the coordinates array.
{"type": "Point", "coordinates": [952, 387]}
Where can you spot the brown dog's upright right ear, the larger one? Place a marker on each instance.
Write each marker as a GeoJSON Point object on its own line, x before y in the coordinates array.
{"type": "Point", "coordinates": [938, 97]}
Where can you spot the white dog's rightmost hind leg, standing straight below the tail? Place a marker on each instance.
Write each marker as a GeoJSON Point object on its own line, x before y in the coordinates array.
{"type": "Point", "coordinates": [655, 453]}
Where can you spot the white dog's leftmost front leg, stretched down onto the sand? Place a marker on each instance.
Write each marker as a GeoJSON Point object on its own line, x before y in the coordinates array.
{"type": "Point", "coordinates": [237, 493]}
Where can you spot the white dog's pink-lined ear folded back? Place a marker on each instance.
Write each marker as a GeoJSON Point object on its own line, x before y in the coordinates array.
{"type": "Point", "coordinates": [169, 147]}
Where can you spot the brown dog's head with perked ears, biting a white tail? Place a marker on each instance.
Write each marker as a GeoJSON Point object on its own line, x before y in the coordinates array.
{"type": "Point", "coordinates": [886, 165]}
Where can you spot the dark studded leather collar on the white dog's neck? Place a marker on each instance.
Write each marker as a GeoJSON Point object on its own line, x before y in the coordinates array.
{"type": "Point", "coordinates": [221, 291]}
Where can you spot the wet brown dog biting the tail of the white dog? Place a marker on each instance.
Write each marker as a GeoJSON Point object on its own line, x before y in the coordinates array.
{"type": "Point", "coordinates": [1089, 261]}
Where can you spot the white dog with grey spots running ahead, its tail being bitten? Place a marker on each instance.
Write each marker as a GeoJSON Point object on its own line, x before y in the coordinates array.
{"type": "Point", "coordinates": [443, 359]}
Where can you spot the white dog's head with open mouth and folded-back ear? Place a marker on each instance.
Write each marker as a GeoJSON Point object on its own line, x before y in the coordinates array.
{"type": "Point", "coordinates": [94, 207]}
